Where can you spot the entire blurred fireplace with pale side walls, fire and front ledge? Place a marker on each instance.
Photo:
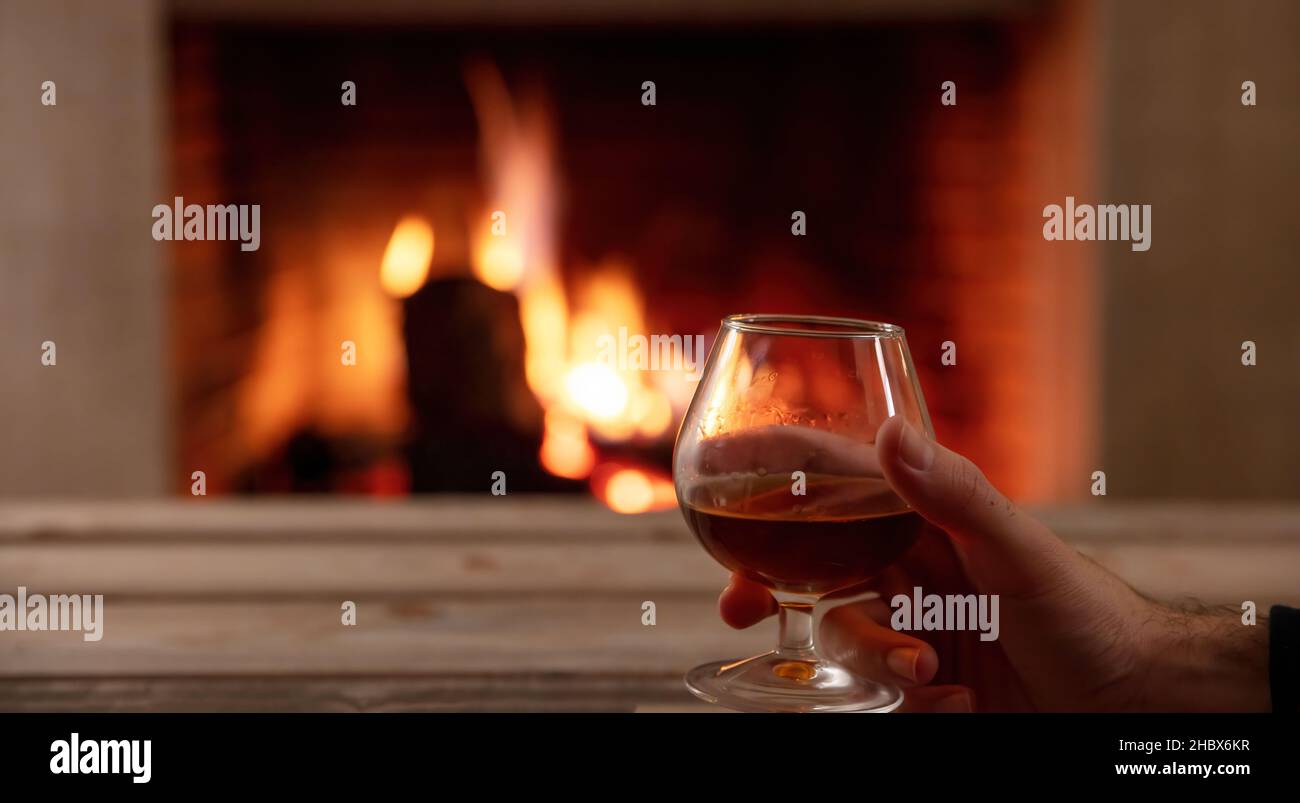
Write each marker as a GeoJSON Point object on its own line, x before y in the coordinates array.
{"type": "Point", "coordinates": [378, 341]}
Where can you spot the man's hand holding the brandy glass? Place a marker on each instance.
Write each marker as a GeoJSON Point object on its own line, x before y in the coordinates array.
{"type": "Point", "coordinates": [1073, 636]}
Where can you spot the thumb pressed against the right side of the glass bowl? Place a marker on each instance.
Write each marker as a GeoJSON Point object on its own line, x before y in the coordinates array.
{"type": "Point", "coordinates": [1002, 546]}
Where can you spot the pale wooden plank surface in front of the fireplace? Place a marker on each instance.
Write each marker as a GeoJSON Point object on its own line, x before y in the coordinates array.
{"type": "Point", "coordinates": [465, 604]}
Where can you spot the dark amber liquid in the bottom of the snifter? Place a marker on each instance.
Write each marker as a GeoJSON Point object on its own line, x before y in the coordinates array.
{"type": "Point", "coordinates": [840, 533]}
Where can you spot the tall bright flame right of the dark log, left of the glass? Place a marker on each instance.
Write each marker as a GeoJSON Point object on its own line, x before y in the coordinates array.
{"type": "Point", "coordinates": [590, 398]}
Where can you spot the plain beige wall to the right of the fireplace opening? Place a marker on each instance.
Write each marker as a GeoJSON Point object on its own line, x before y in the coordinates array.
{"type": "Point", "coordinates": [1182, 416]}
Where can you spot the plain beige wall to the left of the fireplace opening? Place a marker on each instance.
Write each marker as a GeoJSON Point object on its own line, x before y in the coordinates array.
{"type": "Point", "coordinates": [77, 262]}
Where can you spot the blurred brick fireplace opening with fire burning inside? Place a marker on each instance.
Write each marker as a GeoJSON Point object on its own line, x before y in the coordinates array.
{"type": "Point", "coordinates": [501, 198]}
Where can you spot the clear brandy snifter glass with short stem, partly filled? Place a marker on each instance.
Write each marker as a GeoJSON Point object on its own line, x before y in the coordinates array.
{"type": "Point", "coordinates": [777, 474]}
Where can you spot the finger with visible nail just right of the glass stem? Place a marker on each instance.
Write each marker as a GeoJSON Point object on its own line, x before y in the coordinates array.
{"type": "Point", "coordinates": [852, 637]}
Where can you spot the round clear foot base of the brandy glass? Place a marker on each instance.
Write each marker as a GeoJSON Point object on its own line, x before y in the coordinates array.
{"type": "Point", "coordinates": [770, 683]}
